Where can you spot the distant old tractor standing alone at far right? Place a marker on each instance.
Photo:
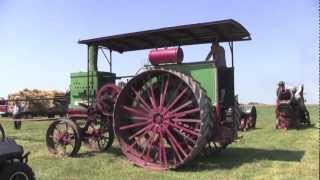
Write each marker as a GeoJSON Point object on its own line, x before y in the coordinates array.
{"type": "Point", "coordinates": [291, 111]}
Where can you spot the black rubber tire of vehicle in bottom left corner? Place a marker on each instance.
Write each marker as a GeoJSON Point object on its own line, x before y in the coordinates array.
{"type": "Point", "coordinates": [17, 170]}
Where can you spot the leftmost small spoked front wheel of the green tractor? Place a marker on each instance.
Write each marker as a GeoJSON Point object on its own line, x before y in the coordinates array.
{"type": "Point", "coordinates": [63, 138]}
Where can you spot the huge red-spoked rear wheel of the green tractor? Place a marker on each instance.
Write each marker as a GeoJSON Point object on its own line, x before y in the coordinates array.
{"type": "Point", "coordinates": [161, 119]}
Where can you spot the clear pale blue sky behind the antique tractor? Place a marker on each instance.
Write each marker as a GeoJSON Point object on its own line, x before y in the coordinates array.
{"type": "Point", "coordinates": [39, 47]}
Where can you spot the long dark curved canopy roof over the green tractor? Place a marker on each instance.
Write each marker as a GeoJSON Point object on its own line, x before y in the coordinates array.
{"type": "Point", "coordinates": [201, 33]}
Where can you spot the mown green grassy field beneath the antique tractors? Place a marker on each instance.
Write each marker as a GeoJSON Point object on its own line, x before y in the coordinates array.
{"type": "Point", "coordinates": [263, 153]}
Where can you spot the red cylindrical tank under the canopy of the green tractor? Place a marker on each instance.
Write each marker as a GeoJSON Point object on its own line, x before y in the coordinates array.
{"type": "Point", "coordinates": [166, 55]}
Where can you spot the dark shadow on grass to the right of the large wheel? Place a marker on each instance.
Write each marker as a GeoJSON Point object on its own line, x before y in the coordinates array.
{"type": "Point", "coordinates": [234, 157]}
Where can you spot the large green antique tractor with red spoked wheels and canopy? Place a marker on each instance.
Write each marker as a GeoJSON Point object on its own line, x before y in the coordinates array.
{"type": "Point", "coordinates": [167, 114]}
